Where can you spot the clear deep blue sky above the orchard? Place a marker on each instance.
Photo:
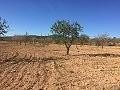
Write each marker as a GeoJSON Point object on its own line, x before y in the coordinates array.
{"type": "Point", "coordinates": [37, 16]}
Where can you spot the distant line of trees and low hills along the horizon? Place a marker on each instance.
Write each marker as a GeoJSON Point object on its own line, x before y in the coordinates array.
{"type": "Point", "coordinates": [83, 39]}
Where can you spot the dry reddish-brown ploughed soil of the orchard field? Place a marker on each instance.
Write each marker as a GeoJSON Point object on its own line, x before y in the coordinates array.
{"type": "Point", "coordinates": [48, 68]}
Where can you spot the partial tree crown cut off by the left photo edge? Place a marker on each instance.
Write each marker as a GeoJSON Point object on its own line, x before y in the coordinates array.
{"type": "Point", "coordinates": [3, 26]}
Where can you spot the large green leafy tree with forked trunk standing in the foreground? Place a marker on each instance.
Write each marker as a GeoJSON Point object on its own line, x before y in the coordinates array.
{"type": "Point", "coordinates": [66, 32]}
